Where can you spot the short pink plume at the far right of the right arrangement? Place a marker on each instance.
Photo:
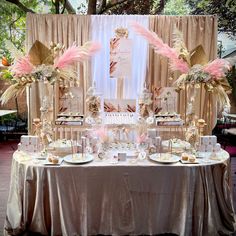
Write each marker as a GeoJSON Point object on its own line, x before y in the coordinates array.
{"type": "Point", "coordinates": [217, 68]}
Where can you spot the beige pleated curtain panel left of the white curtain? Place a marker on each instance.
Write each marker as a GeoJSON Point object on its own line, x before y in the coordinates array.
{"type": "Point", "coordinates": [63, 29]}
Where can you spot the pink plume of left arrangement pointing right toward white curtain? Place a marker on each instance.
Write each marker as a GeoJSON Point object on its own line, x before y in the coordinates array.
{"type": "Point", "coordinates": [76, 54]}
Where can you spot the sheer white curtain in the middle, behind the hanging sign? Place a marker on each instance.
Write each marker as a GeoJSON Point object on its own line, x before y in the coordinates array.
{"type": "Point", "coordinates": [103, 29]}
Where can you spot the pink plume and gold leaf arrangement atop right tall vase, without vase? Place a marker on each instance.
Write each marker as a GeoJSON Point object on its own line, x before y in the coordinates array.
{"type": "Point", "coordinates": [193, 65]}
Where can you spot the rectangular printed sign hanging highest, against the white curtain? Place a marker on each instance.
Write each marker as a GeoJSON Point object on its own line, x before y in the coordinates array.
{"type": "Point", "coordinates": [120, 58]}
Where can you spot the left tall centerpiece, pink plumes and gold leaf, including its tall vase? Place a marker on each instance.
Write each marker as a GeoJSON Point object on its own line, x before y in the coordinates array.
{"type": "Point", "coordinates": [41, 68]}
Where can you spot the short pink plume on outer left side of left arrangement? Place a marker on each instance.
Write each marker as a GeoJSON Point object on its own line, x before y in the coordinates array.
{"type": "Point", "coordinates": [22, 66]}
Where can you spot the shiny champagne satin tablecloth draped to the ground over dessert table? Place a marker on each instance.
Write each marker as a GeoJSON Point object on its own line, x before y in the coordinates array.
{"type": "Point", "coordinates": [123, 199]}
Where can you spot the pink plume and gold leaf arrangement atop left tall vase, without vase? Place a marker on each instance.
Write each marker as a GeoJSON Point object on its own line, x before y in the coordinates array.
{"type": "Point", "coordinates": [44, 64]}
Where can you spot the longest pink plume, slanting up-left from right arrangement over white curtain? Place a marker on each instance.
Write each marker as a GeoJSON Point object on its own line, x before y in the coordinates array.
{"type": "Point", "coordinates": [161, 48]}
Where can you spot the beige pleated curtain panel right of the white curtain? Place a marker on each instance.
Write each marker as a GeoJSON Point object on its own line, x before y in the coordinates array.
{"type": "Point", "coordinates": [197, 30]}
